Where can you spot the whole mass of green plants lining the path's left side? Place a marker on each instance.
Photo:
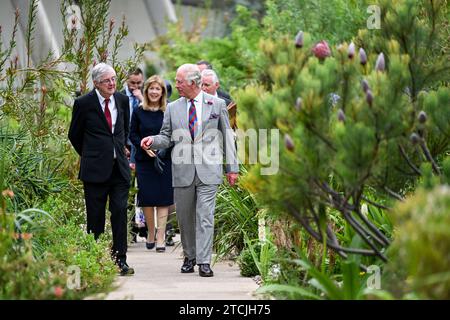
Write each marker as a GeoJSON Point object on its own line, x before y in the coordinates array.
{"type": "Point", "coordinates": [37, 246]}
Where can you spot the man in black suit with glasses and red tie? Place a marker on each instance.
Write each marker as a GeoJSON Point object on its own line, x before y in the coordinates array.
{"type": "Point", "coordinates": [98, 132]}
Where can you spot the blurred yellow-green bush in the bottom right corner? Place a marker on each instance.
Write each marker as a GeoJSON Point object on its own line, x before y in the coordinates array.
{"type": "Point", "coordinates": [419, 259]}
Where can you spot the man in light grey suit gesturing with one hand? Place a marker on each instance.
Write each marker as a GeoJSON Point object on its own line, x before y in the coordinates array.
{"type": "Point", "coordinates": [198, 126]}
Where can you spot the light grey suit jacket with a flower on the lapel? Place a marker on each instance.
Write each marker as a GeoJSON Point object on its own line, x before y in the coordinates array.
{"type": "Point", "coordinates": [205, 154]}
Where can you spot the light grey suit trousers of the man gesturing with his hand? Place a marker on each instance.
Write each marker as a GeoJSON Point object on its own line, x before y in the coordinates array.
{"type": "Point", "coordinates": [195, 212]}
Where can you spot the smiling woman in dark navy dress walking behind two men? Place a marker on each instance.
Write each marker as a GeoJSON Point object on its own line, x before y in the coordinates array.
{"type": "Point", "coordinates": [153, 168]}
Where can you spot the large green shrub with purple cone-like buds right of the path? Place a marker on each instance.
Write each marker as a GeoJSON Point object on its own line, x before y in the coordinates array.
{"type": "Point", "coordinates": [342, 138]}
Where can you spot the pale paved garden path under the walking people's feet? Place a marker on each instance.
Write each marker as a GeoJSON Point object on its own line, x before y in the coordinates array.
{"type": "Point", "coordinates": [158, 277]}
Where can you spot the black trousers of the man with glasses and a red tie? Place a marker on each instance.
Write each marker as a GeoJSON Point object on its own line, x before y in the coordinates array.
{"type": "Point", "coordinates": [96, 195]}
